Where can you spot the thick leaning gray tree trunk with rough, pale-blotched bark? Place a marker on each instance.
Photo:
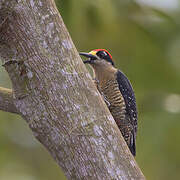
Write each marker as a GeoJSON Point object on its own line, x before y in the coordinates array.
{"type": "Point", "coordinates": [54, 93]}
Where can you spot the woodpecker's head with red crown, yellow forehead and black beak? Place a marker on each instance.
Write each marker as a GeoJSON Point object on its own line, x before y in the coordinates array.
{"type": "Point", "coordinates": [98, 57]}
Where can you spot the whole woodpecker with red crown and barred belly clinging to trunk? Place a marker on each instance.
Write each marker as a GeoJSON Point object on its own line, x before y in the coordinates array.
{"type": "Point", "coordinates": [117, 92]}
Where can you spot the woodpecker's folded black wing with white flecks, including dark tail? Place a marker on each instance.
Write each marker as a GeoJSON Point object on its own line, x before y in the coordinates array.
{"type": "Point", "coordinates": [131, 110]}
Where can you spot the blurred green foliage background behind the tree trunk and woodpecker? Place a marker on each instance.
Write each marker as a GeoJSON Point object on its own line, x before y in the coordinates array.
{"type": "Point", "coordinates": [145, 44]}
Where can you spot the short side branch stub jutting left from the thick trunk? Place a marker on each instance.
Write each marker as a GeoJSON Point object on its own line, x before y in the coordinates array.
{"type": "Point", "coordinates": [6, 101]}
